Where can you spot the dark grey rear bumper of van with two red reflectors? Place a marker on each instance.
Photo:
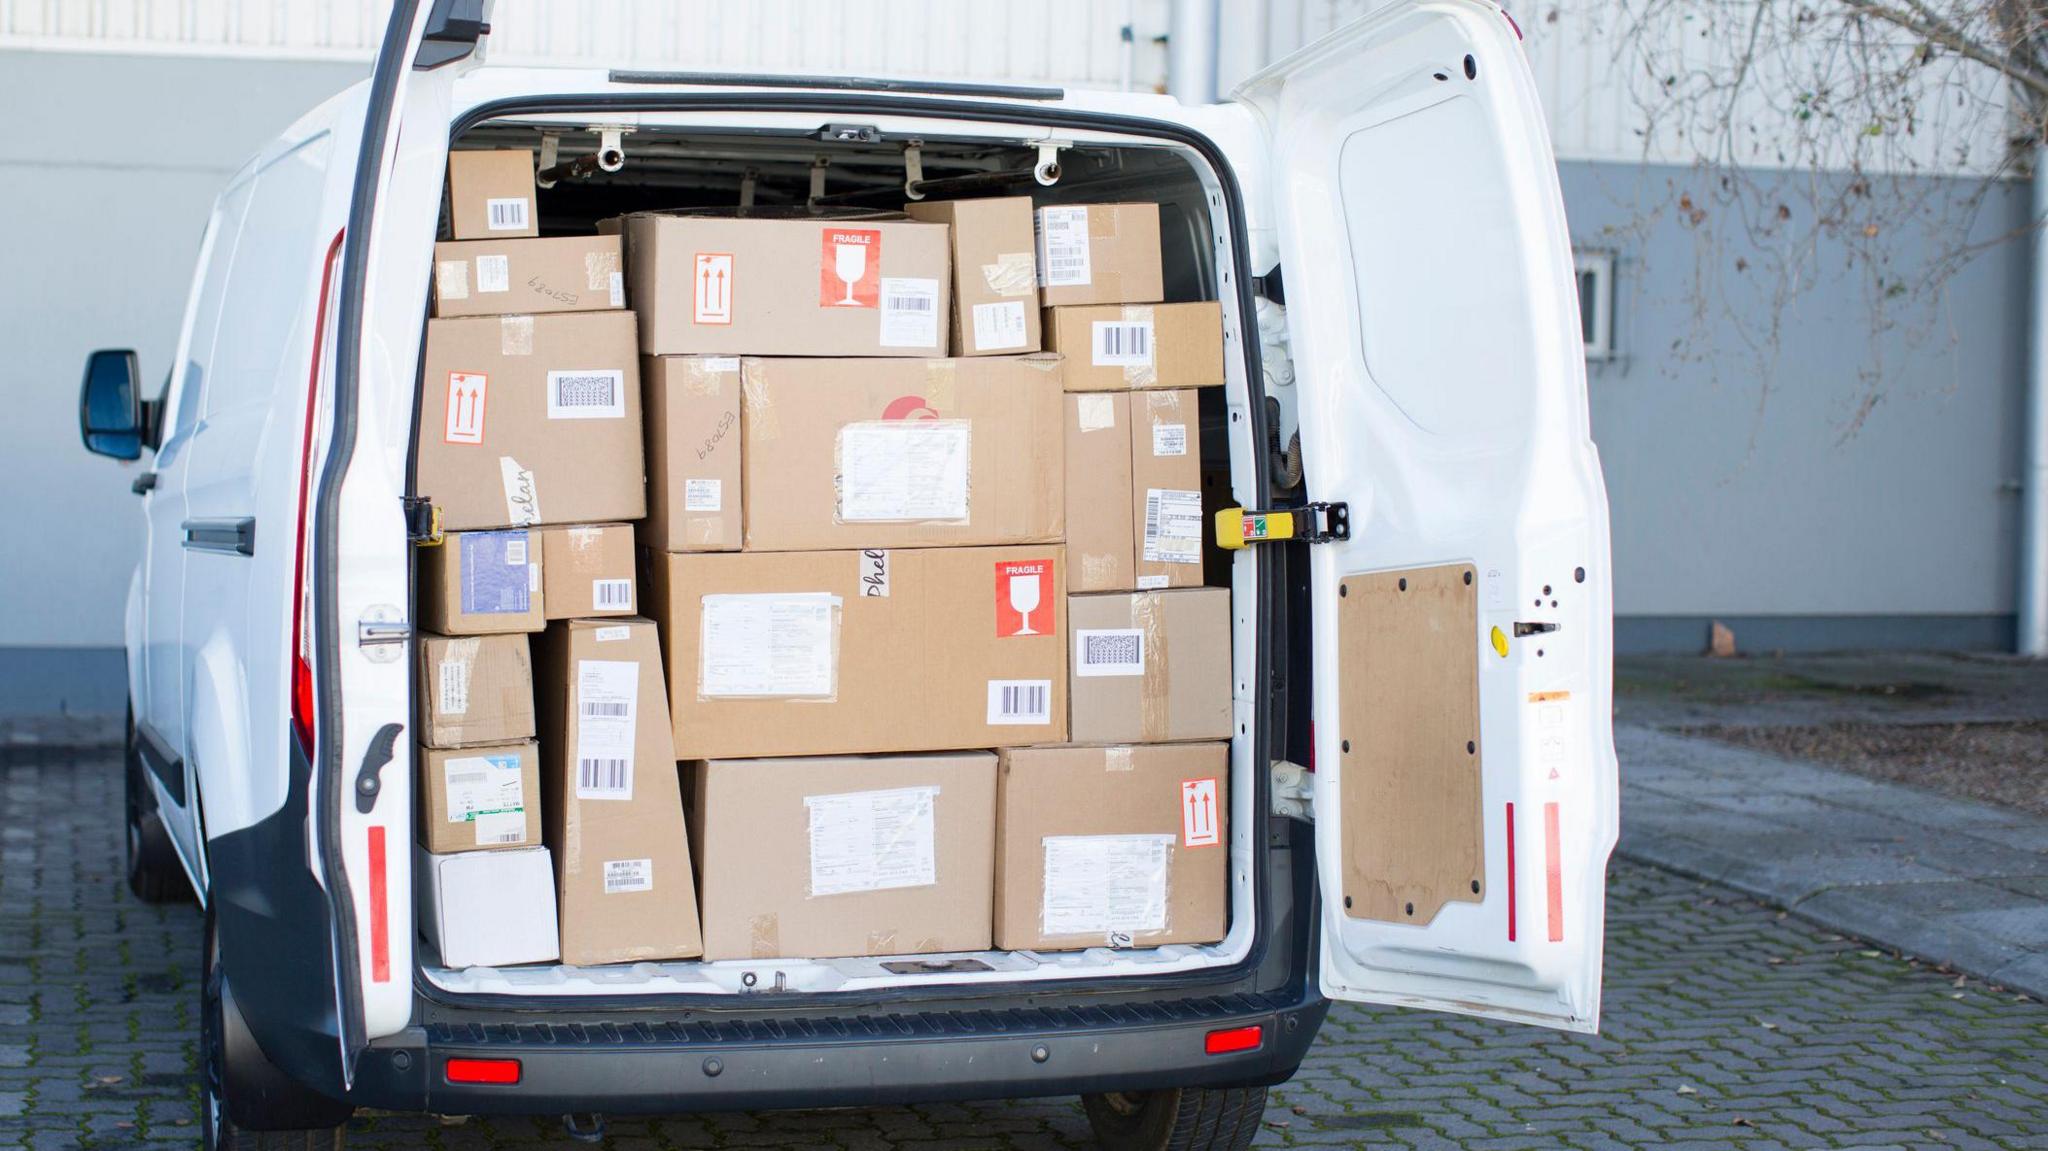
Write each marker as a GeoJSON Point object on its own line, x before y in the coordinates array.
{"type": "Point", "coordinates": [630, 1064]}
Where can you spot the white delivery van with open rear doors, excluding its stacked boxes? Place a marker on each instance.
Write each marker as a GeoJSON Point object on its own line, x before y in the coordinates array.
{"type": "Point", "coordinates": [1422, 769]}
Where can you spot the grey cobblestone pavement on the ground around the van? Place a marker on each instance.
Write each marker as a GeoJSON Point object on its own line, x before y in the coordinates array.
{"type": "Point", "coordinates": [1727, 1025]}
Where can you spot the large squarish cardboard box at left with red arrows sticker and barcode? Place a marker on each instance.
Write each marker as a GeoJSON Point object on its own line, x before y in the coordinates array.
{"type": "Point", "coordinates": [531, 421]}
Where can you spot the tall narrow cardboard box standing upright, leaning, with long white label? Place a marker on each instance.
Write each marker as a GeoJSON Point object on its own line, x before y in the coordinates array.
{"type": "Point", "coordinates": [613, 810]}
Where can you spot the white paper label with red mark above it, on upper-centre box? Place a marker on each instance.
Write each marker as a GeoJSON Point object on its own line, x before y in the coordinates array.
{"type": "Point", "coordinates": [904, 470]}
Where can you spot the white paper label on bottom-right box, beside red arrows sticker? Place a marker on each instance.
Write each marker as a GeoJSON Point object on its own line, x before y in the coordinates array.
{"type": "Point", "coordinates": [1109, 888]}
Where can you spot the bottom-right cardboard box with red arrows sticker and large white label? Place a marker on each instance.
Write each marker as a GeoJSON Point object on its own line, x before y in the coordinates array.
{"type": "Point", "coordinates": [1113, 847]}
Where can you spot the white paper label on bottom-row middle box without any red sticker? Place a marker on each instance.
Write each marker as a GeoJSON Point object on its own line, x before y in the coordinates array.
{"type": "Point", "coordinates": [873, 841]}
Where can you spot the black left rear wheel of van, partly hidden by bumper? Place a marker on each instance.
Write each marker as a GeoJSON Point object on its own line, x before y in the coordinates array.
{"type": "Point", "coordinates": [224, 1039]}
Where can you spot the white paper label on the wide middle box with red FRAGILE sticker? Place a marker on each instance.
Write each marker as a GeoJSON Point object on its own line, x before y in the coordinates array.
{"type": "Point", "coordinates": [769, 646]}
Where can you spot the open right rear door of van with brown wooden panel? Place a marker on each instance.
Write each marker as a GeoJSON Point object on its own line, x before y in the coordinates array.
{"type": "Point", "coordinates": [1465, 787]}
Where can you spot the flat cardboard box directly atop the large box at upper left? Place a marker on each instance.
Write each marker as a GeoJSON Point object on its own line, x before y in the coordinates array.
{"type": "Point", "coordinates": [503, 278]}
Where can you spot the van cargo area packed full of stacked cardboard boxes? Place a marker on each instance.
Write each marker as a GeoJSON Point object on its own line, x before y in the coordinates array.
{"type": "Point", "coordinates": [732, 792]}
